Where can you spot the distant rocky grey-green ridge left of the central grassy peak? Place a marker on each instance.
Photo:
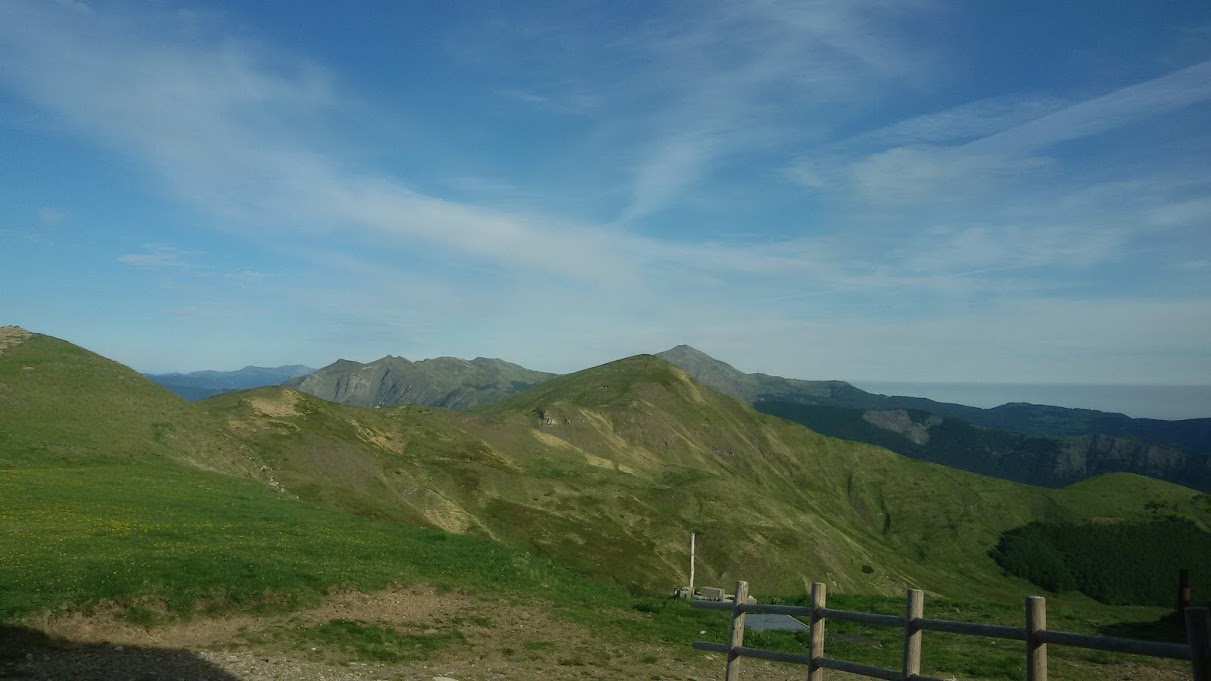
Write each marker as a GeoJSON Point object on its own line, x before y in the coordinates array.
{"type": "Point", "coordinates": [440, 382]}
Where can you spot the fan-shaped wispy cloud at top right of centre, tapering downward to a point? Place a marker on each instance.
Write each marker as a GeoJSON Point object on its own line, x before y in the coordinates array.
{"type": "Point", "coordinates": [738, 73]}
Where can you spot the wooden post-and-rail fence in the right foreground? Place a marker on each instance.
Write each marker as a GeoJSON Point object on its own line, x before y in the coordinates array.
{"type": "Point", "coordinates": [1036, 636]}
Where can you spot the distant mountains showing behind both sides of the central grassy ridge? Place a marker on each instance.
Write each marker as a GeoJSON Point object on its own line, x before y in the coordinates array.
{"type": "Point", "coordinates": [1038, 445]}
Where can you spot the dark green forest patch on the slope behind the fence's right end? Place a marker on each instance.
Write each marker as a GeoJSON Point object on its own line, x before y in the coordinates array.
{"type": "Point", "coordinates": [1114, 563]}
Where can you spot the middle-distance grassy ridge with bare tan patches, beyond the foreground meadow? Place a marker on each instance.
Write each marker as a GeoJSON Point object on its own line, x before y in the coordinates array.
{"type": "Point", "coordinates": [606, 472]}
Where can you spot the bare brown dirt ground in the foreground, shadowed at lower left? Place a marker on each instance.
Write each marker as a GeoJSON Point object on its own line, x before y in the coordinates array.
{"type": "Point", "coordinates": [487, 640]}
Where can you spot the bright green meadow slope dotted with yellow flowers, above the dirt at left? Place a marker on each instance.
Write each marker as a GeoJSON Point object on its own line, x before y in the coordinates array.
{"type": "Point", "coordinates": [79, 535]}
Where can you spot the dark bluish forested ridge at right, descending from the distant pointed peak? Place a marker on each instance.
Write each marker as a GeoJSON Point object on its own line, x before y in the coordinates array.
{"type": "Point", "coordinates": [1032, 444]}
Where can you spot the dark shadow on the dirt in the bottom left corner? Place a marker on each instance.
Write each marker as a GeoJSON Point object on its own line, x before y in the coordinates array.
{"type": "Point", "coordinates": [26, 654]}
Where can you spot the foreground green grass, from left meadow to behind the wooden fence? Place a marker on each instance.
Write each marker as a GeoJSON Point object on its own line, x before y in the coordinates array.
{"type": "Point", "coordinates": [198, 545]}
